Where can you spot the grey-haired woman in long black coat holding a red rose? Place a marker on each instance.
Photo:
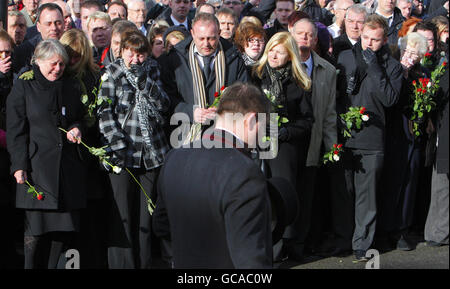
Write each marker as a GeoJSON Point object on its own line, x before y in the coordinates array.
{"type": "Point", "coordinates": [41, 102]}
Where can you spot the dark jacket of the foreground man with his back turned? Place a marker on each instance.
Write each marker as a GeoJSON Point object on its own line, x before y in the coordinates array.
{"type": "Point", "coordinates": [217, 212]}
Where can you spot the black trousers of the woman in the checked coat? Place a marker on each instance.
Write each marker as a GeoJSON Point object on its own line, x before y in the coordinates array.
{"type": "Point", "coordinates": [129, 221]}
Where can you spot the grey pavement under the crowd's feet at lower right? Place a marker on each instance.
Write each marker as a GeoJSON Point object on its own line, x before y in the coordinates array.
{"type": "Point", "coordinates": [422, 257]}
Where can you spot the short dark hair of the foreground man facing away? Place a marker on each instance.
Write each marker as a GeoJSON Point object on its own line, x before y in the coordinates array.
{"type": "Point", "coordinates": [243, 98]}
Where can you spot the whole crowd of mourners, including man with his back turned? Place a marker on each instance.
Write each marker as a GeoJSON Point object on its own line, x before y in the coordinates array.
{"type": "Point", "coordinates": [88, 91]}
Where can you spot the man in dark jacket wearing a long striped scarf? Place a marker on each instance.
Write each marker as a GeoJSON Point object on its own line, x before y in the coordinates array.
{"type": "Point", "coordinates": [214, 62]}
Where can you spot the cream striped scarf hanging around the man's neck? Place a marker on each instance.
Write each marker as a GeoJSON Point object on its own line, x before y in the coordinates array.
{"type": "Point", "coordinates": [199, 86]}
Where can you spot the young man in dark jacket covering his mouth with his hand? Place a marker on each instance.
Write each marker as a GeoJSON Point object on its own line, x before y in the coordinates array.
{"type": "Point", "coordinates": [371, 78]}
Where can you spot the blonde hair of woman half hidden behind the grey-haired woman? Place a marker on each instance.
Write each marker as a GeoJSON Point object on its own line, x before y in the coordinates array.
{"type": "Point", "coordinates": [75, 41]}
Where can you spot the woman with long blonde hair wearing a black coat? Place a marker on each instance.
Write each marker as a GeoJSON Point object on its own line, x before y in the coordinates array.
{"type": "Point", "coordinates": [279, 74]}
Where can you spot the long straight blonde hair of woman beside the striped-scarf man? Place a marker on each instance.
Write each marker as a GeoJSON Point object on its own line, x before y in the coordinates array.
{"type": "Point", "coordinates": [298, 72]}
